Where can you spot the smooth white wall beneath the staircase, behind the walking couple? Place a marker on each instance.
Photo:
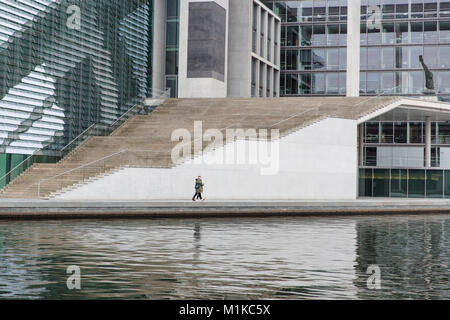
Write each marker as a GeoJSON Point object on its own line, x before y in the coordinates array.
{"type": "Point", "coordinates": [318, 162]}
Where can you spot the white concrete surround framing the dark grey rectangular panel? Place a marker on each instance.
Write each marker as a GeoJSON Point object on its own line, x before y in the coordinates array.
{"type": "Point", "coordinates": [198, 87]}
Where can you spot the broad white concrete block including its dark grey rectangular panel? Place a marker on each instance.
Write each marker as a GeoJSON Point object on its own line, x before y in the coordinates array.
{"type": "Point", "coordinates": [203, 41]}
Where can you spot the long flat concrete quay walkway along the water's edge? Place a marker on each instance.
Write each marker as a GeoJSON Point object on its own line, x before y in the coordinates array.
{"type": "Point", "coordinates": [50, 209]}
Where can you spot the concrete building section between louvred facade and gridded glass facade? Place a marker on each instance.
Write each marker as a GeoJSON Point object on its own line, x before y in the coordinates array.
{"type": "Point", "coordinates": [220, 48]}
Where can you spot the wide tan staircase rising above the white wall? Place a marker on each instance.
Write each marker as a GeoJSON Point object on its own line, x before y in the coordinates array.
{"type": "Point", "coordinates": [145, 140]}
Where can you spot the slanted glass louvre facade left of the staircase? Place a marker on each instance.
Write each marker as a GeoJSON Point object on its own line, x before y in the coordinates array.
{"type": "Point", "coordinates": [65, 65]}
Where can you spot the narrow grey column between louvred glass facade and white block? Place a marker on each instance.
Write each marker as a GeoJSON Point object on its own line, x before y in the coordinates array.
{"type": "Point", "coordinates": [159, 45]}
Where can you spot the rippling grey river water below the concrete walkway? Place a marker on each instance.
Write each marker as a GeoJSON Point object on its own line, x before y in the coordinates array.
{"type": "Point", "coordinates": [214, 258]}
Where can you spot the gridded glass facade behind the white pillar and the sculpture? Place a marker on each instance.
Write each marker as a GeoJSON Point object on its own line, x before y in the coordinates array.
{"type": "Point", "coordinates": [314, 37]}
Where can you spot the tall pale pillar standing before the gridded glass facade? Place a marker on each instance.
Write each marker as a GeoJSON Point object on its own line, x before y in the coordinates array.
{"type": "Point", "coordinates": [353, 47]}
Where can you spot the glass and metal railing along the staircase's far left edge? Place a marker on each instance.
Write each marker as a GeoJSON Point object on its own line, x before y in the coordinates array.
{"type": "Point", "coordinates": [96, 129]}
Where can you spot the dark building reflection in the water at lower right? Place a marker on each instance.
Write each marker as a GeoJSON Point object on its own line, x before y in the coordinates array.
{"type": "Point", "coordinates": [413, 254]}
